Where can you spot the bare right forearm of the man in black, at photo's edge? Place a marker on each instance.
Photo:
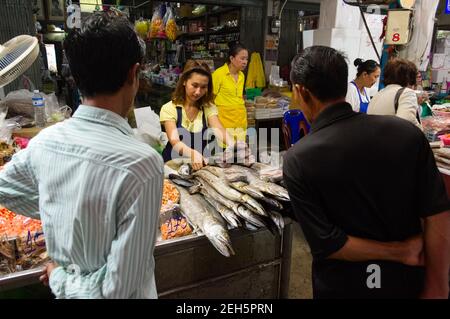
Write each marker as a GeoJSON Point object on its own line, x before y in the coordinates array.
{"type": "Point", "coordinates": [437, 256]}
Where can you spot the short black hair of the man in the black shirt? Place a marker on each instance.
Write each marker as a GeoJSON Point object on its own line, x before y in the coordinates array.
{"type": "Point", "coordinates": [323, 71]}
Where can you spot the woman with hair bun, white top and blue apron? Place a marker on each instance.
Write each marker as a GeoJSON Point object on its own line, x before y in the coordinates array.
{"type": "Point", "coordinates": [368, 74]}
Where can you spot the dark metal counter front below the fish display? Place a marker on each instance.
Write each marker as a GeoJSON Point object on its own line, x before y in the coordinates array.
{"type": "Point", "coordinates": [191, 267]}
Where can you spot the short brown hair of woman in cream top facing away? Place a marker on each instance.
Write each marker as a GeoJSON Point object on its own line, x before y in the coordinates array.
{"type": "Point", "coordinates": [400, 71]}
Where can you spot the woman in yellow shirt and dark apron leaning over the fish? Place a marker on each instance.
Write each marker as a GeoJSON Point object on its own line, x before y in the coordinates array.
{"type": "Point", "coordinates": [189, 114]}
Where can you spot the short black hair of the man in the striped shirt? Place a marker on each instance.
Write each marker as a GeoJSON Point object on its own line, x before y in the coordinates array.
{"type": "Point", "coordinates": [101, 54]}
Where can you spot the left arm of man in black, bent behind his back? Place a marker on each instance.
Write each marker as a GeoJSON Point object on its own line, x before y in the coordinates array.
{"type": "Point", "coordinates": [327, 240]}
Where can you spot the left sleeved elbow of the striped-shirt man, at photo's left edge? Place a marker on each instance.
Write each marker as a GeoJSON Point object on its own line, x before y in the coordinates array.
{"type": "Point", "coordinates": [18, 188]}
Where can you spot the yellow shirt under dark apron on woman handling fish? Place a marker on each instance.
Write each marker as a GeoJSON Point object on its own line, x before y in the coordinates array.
{"type": "Point", "coordinates": [169, 113]}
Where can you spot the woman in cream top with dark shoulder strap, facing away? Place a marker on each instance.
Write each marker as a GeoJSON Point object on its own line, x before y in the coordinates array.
{"type": "Point", "coordinates": [398, 97]}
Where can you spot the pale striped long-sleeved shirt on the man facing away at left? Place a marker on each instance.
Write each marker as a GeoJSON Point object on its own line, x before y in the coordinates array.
{"type": "Point", "coordinates": [98, 191]}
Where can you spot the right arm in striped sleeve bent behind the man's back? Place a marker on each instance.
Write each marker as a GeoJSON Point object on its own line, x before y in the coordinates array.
{"type": "Point", "coordinates": [131, 250]}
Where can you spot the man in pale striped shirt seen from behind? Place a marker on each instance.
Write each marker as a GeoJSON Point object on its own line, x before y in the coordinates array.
{"type": "Point", "coordinates": [95, 187]}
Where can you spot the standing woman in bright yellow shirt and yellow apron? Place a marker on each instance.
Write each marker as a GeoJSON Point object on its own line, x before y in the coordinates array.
{"type": "Point", "coordinates": [228, 83]}
